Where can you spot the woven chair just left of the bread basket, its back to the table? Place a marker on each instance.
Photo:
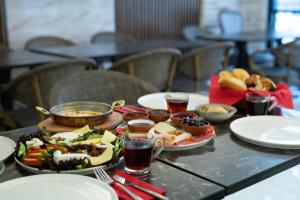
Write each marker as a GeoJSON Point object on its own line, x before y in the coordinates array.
{"type": "Point", "coordinates": [199, 64]}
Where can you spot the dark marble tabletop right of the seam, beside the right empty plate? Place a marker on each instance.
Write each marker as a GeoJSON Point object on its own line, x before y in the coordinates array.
{"type": "Point", "coordinates": [231, 162]}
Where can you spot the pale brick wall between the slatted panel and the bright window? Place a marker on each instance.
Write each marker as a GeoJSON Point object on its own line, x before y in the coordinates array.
{"type": "Point", "coordinates": [254, 12]}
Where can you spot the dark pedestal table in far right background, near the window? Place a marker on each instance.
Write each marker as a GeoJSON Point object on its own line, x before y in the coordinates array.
{"type": "Point", "coordinates": [241, 40]}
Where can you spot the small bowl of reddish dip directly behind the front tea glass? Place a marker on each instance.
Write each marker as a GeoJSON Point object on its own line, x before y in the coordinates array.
{"type": "Point", "coordinates": [140, 125]}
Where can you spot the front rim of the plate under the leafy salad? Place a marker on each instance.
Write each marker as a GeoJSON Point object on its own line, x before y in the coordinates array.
{"type": "Point", "coordinates": [86, 171]}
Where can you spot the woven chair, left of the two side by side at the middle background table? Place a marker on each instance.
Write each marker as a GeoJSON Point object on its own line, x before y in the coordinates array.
{"type": "Point", "coordinates": [154, 66]}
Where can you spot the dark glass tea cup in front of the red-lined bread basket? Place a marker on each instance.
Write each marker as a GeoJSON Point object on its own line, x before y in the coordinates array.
{"type": "Point", "coordinates": [259, 105]}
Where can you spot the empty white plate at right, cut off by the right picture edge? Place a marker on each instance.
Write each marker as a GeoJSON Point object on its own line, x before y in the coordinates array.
{"type": "Point", "coordinates": [269, 131]}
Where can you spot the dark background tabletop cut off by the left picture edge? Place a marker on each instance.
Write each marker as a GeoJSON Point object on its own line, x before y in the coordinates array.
{"type": "Point", "coordinates": [17, 59]}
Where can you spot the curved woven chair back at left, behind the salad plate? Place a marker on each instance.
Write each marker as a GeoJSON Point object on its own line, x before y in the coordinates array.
{"type": "Point", "coordinates": [32, 88]}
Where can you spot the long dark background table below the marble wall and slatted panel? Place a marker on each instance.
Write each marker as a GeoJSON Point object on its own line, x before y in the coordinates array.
{"type": "Point", "coordinates": [114, 50]}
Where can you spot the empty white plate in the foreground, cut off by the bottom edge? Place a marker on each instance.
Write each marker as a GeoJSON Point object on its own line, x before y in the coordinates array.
{"type": "Point", "coordinates": [56, 186]}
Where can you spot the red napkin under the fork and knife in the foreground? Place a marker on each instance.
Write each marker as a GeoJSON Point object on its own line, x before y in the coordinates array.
{"type": "Point", "coordinates": [145, 196]}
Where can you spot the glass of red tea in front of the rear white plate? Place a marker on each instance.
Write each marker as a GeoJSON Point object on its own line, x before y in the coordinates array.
{"type": "Point", "coordinates": [177, 101]}
